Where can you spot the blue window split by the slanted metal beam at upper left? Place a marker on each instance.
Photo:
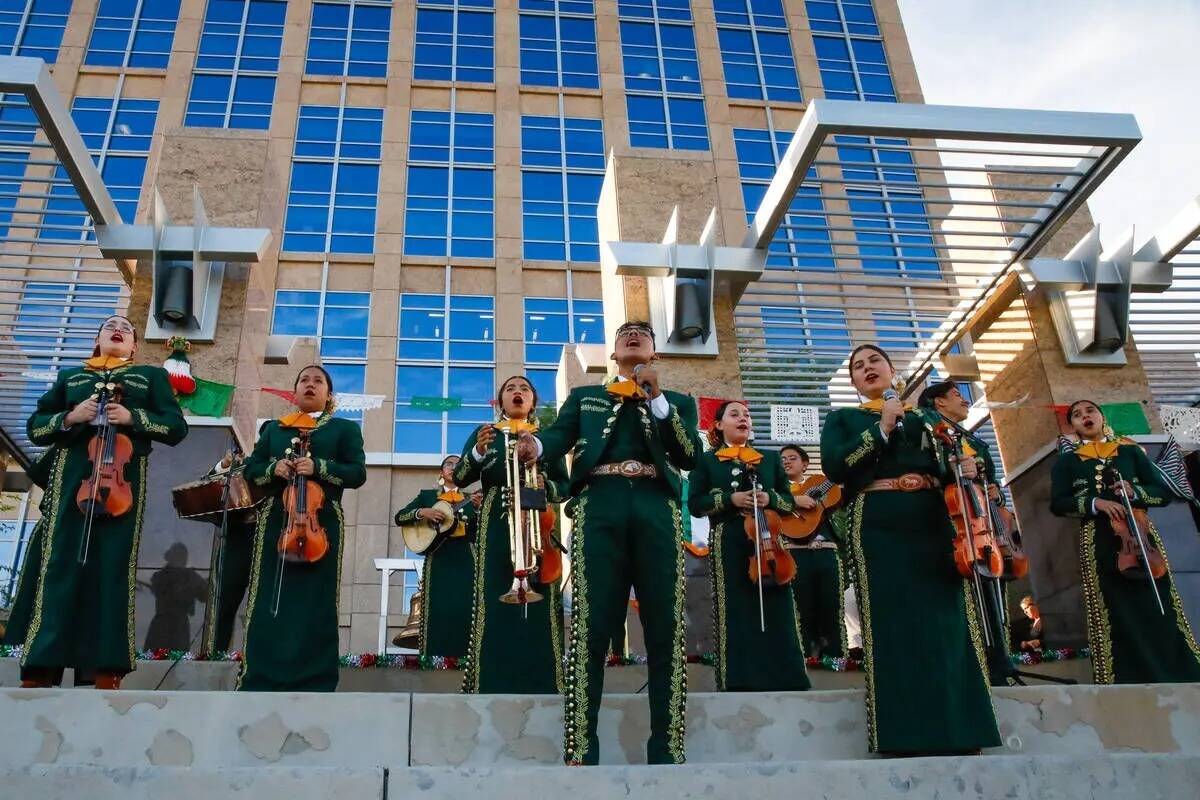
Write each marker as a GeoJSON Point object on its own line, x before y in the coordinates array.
{"type": "Point", "coordinates": [118, 134]}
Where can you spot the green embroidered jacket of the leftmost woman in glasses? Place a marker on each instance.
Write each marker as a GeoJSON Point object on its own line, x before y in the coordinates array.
{"type": "Point", "coordinates": [147, 394]}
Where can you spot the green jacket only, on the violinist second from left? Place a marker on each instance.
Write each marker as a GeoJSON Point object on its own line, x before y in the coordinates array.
{"type": "Point", "coordinates": [335, 447]}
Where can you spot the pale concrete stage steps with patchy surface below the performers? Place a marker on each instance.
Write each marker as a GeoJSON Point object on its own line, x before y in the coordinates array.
{"type": "Point", "coordinates": [1063, 743]}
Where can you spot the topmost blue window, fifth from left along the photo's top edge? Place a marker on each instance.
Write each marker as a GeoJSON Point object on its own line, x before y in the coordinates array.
{"type": "Point", "coordinates": [455, 41]}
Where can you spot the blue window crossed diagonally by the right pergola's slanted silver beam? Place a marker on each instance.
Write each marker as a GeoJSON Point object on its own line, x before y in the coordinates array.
{"type": "Point", "coordinates": [802, 242]}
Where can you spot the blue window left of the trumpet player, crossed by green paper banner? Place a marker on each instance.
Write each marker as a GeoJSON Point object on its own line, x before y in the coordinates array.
{"type": "Point", "coordinates": [446, 351]}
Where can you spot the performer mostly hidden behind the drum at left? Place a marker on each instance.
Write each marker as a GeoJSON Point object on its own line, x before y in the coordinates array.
{"type": "Point", "coordinates": [231, 581]}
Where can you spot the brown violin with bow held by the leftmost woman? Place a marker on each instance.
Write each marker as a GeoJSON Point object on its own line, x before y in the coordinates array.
{"type": "Point", "coordinates": [106, 494]}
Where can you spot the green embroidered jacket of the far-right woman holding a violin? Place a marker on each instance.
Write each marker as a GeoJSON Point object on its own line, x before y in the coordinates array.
{"type": "Point", "coordinates": [1076, 483]}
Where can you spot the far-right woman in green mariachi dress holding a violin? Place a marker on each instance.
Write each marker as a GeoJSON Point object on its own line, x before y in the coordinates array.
{"type": "Point", "coordinates": [1137, 629]}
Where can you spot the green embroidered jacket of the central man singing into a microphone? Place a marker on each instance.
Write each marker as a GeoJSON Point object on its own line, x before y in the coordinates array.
{"type": "Point", "coordinates": [586, 420]}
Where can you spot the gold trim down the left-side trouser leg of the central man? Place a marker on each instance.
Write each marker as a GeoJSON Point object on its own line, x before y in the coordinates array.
{"type": "Point", "coordinates": [575, 712]}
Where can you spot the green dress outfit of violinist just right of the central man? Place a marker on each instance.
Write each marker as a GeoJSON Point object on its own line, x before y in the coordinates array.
{"type": "Point", "coordinates": [748, 659]}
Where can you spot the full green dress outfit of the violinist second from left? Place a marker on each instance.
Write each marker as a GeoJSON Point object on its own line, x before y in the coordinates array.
{"type": "Point", "coordinates": [296, 651]}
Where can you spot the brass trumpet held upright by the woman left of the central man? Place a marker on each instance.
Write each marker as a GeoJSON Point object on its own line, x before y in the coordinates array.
{"type": "Point", "coordinates": [525, 502]}
